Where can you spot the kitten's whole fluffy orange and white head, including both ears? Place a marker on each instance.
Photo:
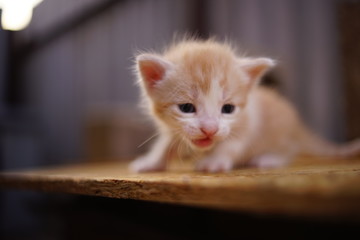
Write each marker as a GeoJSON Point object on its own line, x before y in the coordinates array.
{"type": "Point", "coordinates": [199, 89]}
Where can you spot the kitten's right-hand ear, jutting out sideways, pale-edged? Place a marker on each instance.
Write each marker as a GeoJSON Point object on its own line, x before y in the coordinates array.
{"type": "Point", "coordinates": [255, 68]}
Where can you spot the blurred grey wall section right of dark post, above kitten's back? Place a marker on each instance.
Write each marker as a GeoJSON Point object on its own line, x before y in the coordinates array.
{"type": "Point", "coordinates": [303, 37]}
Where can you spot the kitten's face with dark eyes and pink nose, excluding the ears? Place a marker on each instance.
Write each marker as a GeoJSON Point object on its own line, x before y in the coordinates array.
{"type": "Point", "coordinates": [200, 107]}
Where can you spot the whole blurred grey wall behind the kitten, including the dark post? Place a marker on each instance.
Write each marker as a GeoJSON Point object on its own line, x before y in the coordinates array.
{"type": "Point", "coordinates": [86, 71]}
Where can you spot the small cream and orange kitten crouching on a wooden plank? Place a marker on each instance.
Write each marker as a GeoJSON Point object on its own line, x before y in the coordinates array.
{"type": "Point", "coordinates": [205, 98]}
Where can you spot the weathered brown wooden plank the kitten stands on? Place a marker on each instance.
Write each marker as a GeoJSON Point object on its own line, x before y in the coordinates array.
{"type": "Point", "coordinates": [309, 187]}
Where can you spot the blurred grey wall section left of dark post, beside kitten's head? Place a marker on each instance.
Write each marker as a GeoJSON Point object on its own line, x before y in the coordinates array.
{"type": "Point", "coordinates": [87, 71]}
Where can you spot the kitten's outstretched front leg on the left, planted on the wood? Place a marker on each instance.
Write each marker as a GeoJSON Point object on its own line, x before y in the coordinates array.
{"type": "Point", "coordinates": [155, 159]}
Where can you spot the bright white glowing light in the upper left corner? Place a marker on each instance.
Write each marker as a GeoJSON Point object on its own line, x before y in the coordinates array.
{"type": "Point", "coordinates": [16, 14]}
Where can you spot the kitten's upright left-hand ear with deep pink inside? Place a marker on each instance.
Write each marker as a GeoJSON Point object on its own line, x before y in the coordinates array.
{"type": "Point", "coordinates": [152, 68]}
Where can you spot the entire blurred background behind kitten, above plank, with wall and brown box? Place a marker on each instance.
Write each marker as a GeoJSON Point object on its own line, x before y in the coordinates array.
{"type": "Point", "coordinates": [67, 92]}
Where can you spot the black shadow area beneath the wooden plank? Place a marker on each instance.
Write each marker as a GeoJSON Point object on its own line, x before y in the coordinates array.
{"type": "Point", "coordinates": [82, 217]}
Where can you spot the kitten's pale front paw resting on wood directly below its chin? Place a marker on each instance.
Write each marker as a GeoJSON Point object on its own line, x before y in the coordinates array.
{"type": "Point", "coordinates": [214, 164]}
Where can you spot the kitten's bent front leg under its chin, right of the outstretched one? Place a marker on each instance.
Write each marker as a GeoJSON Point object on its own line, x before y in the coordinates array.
{"type": "Point", "coordinates": [222, 159]}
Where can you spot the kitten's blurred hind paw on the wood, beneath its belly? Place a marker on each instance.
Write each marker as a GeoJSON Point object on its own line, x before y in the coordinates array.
{"type": "Point", "coordinates": [270, 160]}
